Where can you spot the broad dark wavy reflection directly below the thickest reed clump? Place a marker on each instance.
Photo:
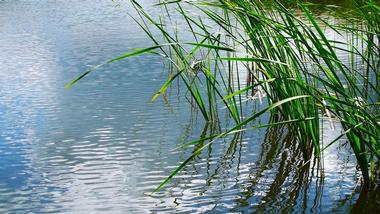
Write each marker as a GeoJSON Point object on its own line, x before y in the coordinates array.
{"type": "Point", "coordinates": [288, 188]}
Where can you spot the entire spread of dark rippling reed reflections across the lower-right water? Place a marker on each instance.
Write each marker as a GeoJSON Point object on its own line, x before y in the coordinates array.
{"type": "Point", "coordinates": [279, 178]}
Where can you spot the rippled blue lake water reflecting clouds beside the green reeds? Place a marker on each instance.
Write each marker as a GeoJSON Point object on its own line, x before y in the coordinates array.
{"type": "Point", "coordinates": [101, 146]}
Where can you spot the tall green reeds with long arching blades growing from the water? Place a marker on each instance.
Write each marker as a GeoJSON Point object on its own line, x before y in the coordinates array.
{"type": "Point", "coordinates": [260, 49]}
